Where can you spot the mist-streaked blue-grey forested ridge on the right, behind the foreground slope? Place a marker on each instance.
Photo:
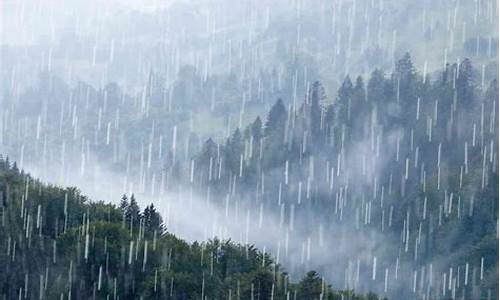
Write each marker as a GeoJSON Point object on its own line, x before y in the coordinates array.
{"type": "Point", "coordinates": [408, 161]}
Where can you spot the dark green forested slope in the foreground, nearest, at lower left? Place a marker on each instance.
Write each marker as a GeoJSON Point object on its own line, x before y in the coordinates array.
{"type": "Point", "coordinates": [57, 244]}
